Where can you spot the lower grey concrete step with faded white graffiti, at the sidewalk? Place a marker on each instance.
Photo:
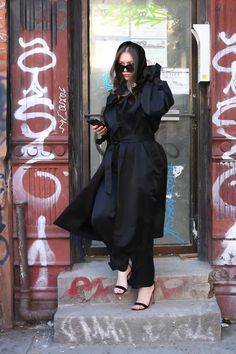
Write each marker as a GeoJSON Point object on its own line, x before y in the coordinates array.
{"type": "Point", "coordinates": [163, 322]}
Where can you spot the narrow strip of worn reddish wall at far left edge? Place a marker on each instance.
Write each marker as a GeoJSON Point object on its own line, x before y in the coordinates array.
{"type": "Point", "coordinates": [6, 275]}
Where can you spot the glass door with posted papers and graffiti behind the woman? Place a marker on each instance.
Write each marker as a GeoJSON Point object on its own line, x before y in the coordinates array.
{"type": "Point", "coordinates": [163, 28]}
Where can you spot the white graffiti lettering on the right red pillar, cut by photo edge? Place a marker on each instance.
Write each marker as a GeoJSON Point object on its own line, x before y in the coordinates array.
{"type": "Point", "coordinates": [224, 186]}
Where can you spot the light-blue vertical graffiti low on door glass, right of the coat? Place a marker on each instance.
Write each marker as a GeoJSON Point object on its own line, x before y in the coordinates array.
{"type": "Point", "coordinates": [173, 173]}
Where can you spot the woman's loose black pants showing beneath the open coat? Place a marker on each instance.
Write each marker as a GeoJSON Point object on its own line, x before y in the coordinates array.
{"type": "Point", "coordinates": [141, 254]}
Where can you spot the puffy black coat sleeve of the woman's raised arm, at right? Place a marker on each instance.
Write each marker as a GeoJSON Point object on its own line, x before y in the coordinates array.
{"type": "Point", "coordinates": [156, 96]}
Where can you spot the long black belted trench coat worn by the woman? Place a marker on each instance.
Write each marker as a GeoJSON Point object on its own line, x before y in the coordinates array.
{"type": "Point", "coordinates": [141, 166]}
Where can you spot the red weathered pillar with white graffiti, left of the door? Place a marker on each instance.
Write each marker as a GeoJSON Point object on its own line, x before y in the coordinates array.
{"type": "Point", "coordinates": [39, 88]}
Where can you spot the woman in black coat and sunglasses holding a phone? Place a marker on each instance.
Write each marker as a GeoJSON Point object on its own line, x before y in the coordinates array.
{"type": "Point", "coordinates": [124, 203]}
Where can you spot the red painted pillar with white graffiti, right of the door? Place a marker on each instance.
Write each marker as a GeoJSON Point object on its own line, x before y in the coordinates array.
{"type": "Point", "coordinates": [223, 104]}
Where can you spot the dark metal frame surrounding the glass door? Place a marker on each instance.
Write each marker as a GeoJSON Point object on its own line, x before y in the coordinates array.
{"type": "Point", "coordinates": [80, 153]}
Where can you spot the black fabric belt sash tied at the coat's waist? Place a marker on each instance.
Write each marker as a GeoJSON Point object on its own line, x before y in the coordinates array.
{"type": "Point", "coordinates": [109, 155]}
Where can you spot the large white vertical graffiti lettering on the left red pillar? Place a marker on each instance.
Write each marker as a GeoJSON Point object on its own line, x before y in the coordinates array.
{"type": "Point", "coordinates": [35, 96]}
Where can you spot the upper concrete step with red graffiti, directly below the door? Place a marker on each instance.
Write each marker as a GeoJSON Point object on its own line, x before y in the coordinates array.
{"type": "Point", "coordinates": [176, 279]}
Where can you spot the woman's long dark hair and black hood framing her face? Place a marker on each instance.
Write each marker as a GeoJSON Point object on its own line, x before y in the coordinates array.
{"type": "Point", "coordinates": [139, 58]}
